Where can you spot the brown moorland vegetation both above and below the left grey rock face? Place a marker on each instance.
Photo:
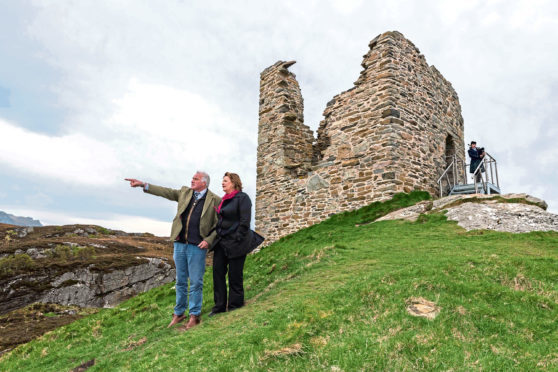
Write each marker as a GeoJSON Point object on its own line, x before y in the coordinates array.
{"type": "Point", "coordinates": [46, 252]}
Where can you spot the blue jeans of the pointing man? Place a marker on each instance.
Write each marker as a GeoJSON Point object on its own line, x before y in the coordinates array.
{"type": "Point", "coordinates": [189, 260]}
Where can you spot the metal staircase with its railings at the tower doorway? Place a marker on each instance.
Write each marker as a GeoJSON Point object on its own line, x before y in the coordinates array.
{"type": "Point", "coordinates": [454, 179]}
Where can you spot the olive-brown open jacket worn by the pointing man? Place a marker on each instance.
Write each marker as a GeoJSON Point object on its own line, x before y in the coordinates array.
{"type": "Point", "coordinates": [183, 196]}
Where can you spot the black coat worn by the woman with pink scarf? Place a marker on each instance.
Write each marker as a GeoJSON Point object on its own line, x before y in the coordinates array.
{"type": "Point", "coordinates": [233, 227]}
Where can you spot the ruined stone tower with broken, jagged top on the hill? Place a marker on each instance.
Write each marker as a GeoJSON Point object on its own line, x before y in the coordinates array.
{"type": "Point", "coordinates": [392, 132]}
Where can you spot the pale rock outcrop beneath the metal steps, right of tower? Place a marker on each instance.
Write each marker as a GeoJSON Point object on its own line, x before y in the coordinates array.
{"type": "Point", "coordinates": [516, 213]}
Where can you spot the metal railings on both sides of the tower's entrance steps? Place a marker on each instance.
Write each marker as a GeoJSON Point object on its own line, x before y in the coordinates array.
{"type": "Point", "coordinates": [456, 174]}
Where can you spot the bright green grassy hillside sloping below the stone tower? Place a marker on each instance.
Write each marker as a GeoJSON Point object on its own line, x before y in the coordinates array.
{"type": "Point", "coordinates": [333, 297]}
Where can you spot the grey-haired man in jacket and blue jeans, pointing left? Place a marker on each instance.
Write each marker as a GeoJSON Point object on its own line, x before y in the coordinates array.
{"type": "Point", "coordinates": [193, 233]}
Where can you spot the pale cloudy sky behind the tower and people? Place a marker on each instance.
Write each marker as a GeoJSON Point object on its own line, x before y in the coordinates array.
{"type": "Point", "coordinates": [92, 92]}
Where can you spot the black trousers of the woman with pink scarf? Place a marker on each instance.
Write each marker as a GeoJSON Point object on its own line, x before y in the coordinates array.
{"type": "Point", "coordinates": [234, 266]}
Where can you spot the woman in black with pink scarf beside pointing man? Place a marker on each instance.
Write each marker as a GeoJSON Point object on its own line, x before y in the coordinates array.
{"type": "Point", "coordinates": [236, 240]}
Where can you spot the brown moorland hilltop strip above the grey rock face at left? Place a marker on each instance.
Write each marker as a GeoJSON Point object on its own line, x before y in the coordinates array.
{"type": "Point", "coordinates": [61, 248]}
